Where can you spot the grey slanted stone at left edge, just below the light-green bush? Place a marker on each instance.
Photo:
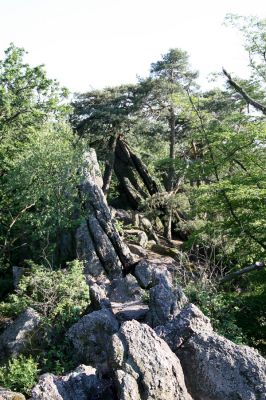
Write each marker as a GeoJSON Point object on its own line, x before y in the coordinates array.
{"type": "Point", "coordinates": [15, 337]}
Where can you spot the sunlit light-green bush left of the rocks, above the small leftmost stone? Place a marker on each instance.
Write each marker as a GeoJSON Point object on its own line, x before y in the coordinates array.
{"type": "Point", "coordinates": [58, 295]}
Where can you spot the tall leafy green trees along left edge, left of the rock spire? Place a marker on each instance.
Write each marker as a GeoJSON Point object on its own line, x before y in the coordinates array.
{"type": "Point", "coordinates": [37, 158]}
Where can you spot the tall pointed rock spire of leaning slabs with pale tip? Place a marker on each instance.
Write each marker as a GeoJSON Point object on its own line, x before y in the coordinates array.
{"type": "Point", "coordinates": [98, 242]}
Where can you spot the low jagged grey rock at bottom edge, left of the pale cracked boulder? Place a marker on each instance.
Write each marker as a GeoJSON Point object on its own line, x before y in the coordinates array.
{"type": "Point", "coordinates": [82, 384]}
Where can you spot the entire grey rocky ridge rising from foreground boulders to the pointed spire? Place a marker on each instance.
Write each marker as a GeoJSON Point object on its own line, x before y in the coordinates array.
{"type": "Point", "coordinates": [142, 339]}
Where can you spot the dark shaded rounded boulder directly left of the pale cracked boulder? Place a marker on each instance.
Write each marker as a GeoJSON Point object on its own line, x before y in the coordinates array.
{"type": "Point", "coordinates": [91, 335]}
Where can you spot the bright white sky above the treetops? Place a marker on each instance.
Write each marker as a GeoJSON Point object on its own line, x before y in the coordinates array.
{"type": "Point", "coordinates": [87, 44]}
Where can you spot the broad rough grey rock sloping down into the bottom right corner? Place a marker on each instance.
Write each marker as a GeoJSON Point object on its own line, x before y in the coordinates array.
{"type": "Point", "coordinates": [214, 367]}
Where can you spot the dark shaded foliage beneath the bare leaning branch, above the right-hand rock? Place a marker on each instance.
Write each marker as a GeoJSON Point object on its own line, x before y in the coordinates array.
{"type": "Point", "coordinates": [236, 311]}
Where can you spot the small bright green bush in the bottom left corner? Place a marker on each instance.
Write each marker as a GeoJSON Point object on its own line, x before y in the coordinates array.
{"type": "Point", "coordinates": [19, 374]}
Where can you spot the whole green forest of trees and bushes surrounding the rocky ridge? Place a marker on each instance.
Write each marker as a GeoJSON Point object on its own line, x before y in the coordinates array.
{"type": "Point", "coordinates": [190, 162]}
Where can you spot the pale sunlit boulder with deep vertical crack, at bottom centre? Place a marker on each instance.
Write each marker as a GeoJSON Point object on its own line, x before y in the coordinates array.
{"type": "Point", "coordinates": [145, 366]}
